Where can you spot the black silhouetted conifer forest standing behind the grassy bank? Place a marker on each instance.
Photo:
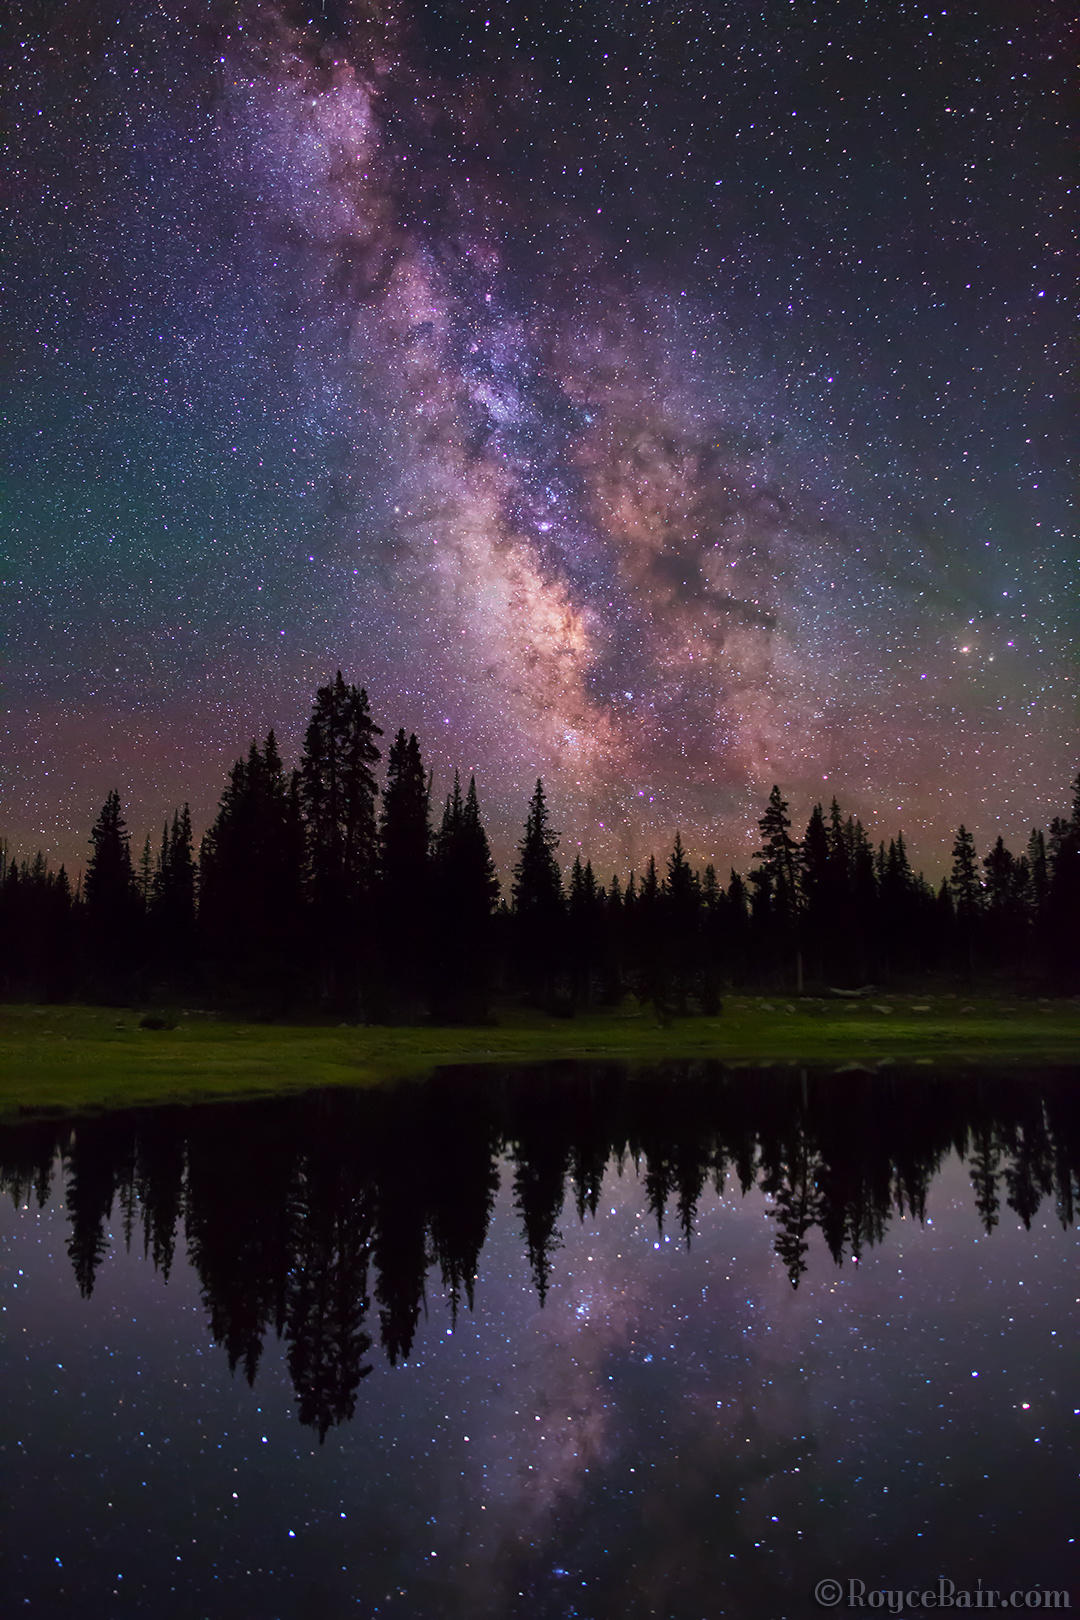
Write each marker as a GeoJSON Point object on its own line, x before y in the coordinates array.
{"type": "Point", "coordinates": [318, 889]}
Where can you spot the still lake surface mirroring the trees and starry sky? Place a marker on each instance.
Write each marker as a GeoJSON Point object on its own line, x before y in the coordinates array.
{"type": "Point", "coordinates": [555, 1344]}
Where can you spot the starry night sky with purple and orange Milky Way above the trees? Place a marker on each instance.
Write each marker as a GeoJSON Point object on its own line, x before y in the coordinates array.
{"type": "Point", "coordinates": [663, 399]}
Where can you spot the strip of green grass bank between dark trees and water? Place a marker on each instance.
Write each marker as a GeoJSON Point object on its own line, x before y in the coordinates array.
{"type": "Point", "coordinates": [79, 1057]}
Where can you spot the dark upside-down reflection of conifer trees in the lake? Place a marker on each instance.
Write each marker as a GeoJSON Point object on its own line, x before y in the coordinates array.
{"type": "Point", "coordinates": [321, 1219]}
